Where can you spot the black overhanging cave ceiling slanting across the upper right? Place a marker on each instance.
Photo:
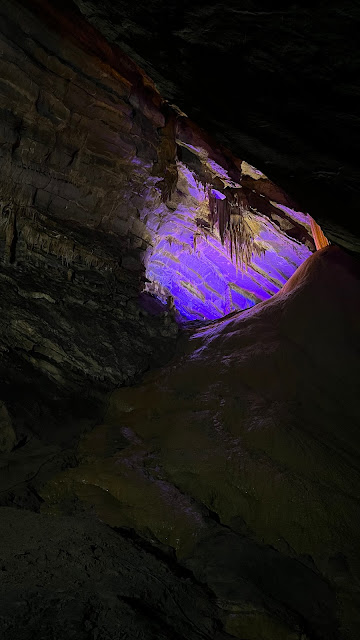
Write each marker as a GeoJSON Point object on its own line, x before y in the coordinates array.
{"type": "Point", "coordinates": [275, 83]}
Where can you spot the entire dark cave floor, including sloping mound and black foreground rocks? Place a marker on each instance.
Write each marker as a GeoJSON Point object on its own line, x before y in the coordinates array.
{"type": "Point", "coordinates": [234, 471]}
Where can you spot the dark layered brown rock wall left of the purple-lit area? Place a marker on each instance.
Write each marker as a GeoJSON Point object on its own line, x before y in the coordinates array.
{"type": "Point", "coordinates": [80, 145]}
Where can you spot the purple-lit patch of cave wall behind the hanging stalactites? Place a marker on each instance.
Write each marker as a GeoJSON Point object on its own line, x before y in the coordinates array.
{"type": "Point", "coordinates": [189, 262]}
